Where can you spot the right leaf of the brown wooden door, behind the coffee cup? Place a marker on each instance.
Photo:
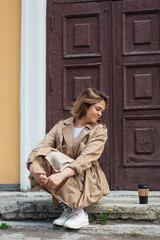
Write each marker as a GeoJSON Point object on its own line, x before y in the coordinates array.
{"type": "Point", "coordinates": [136, 93]}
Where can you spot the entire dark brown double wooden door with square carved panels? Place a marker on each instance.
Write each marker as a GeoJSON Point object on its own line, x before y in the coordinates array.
{"type": "Point", "coordinates": [113, 46]}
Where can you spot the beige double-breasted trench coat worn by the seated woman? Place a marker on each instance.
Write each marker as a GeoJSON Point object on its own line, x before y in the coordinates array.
{"type": "Point", "coordinates": [89, 183]}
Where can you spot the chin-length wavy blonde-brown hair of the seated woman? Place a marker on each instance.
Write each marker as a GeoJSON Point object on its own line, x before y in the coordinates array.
{"type": "Point", "coordinates": [87, 98]}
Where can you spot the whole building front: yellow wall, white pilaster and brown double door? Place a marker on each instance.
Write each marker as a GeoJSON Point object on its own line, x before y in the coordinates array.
{"type": "Point", "coordinates": [55, 49]}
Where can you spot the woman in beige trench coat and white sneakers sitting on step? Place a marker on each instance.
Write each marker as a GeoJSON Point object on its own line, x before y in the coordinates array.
{"type": "Point", "coordinates": [65, 162]}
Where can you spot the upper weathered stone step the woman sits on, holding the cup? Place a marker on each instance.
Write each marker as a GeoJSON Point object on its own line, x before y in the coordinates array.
{"type": "Point", "coordinates": [38, 205]}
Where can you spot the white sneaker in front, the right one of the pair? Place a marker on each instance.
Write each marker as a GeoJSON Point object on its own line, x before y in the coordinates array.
{"type": "Point", "coordinates": [77, 220]}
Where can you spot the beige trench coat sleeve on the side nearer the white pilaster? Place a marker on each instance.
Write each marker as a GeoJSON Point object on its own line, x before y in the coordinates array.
{"type": "Point", "coordinates": [45, 146]}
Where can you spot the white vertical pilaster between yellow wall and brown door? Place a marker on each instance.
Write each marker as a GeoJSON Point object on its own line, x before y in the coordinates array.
{"type": "Point", "coordinates": [33, 81]}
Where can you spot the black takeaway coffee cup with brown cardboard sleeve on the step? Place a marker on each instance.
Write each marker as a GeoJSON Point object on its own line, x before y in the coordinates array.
{"type": "Point", "coordinates": [143, 193]}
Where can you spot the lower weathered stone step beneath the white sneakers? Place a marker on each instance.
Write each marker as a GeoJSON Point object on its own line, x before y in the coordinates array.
{"type": "Point", "coordinates": [34, 229]}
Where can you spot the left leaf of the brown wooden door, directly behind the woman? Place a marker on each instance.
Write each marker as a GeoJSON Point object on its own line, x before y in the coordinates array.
{"type": "Point", "coordinates": [78, 56]}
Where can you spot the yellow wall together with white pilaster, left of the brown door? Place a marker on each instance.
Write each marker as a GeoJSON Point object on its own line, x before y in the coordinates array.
{"type": "Point", "coordinates": [23, 76]}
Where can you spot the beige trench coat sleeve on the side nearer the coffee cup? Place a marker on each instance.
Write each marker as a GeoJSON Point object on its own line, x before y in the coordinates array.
{"type": "Point", "coordinates": [92, 151]}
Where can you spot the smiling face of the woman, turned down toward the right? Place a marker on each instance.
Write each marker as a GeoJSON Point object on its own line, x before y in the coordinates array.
{"type": "Point", "coordinates": [94, 112]}
